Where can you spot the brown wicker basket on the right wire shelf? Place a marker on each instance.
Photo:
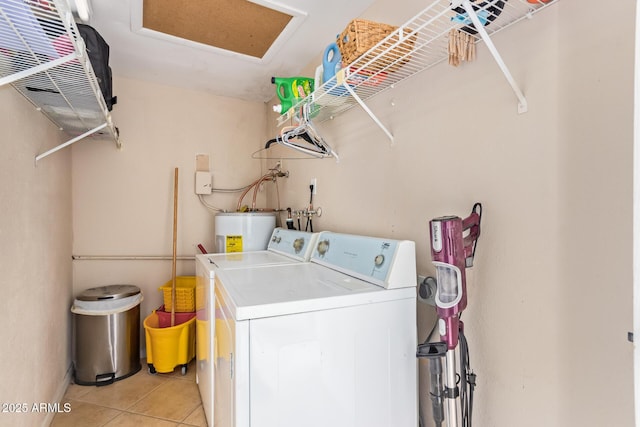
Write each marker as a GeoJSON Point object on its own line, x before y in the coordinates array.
{"type": "Point", "coordinates": [361, 35]}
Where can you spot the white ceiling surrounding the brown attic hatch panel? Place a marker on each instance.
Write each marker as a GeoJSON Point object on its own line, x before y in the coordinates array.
{"type": "Point", "coordinates": [145, 56]}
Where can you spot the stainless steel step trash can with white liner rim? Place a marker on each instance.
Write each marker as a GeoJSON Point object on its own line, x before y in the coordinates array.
{"type": "Point", "coordinates": [106, 331]}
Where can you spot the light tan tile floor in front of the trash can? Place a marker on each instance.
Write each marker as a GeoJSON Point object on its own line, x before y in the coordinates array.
{"type": "Point", "coordinates": [144, 399]}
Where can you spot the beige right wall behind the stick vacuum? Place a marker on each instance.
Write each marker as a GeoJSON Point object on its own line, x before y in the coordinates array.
{"type": "Point", "coordinates": [550, 292]}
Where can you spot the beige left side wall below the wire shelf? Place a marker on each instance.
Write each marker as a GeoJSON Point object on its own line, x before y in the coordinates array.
{"type": "Point", "coordinates": [35, 231]}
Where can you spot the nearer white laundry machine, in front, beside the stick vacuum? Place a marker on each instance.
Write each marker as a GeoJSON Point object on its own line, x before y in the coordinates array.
{"type": "Point", "coordinates": [329, 342]}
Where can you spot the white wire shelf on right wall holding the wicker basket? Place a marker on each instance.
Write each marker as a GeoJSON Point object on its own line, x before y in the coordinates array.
{"type": "Point", "coordinates": [417, 45]}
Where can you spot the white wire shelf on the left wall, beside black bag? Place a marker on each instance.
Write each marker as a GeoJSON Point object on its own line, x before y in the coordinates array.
{"type": "Point", "coordinates": [43, 56]}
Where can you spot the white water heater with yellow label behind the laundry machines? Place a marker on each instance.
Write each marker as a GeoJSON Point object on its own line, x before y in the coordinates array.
{"type": "Point", "coordinates": [243, 231]}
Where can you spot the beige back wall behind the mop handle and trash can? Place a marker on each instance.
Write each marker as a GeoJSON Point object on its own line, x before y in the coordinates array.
{"type": "Point", "coordinates": [123, 200]}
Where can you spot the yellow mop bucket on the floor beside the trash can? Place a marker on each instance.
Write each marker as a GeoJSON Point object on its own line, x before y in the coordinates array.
{"type": "Point", "coordinates": [170, 346]}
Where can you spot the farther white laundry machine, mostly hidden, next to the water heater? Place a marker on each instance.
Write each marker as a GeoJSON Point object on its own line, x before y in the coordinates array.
{"type": "Point", "coordinates": [285, 247]}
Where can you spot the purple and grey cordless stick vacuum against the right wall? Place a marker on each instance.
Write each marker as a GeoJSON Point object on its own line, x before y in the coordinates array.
{"type": "Point", "coordinates": [453, 243]}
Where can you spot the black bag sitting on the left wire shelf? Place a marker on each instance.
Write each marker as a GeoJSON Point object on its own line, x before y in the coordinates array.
{"type": "Point", "coordinates": [98, 51]}
